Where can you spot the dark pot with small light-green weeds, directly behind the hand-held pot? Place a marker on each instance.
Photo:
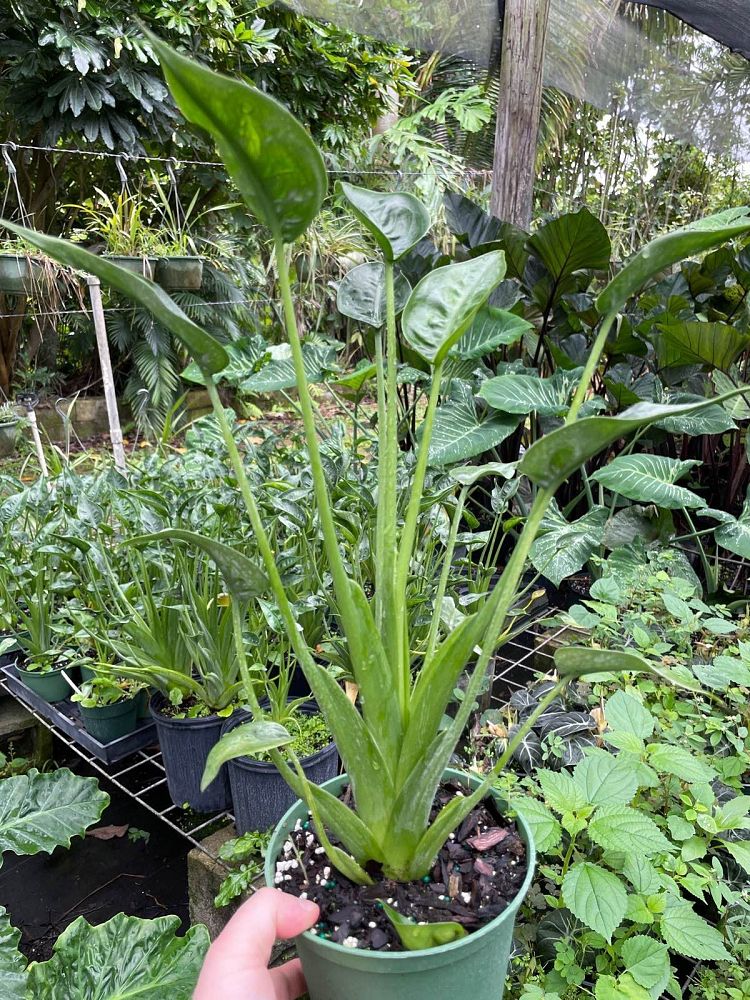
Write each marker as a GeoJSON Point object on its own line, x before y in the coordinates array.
{"type": "Point", "coordinates": [260, 795]}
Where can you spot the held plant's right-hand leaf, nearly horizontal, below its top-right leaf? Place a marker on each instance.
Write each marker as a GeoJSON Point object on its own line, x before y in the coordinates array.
{"type": "Point", "coordinates": [556, 456]}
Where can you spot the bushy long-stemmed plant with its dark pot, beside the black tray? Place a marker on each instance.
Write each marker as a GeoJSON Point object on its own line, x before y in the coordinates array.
{"type": "Point", "coordinates": [170, 630]}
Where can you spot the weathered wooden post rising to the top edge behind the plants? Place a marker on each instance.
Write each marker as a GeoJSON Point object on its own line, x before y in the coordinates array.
{"type": "Point", "coordinates": [514, 167]}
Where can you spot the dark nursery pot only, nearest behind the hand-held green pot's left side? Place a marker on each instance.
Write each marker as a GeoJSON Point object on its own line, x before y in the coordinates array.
{"type": "Point", "coordinates": [260, 796]}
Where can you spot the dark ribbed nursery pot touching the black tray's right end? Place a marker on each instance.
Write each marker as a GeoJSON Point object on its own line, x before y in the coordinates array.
{"type": "Point", "coordinates": [185, 745]}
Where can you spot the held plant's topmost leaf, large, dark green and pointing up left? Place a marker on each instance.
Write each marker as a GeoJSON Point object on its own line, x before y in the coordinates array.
{"type": "Point", "coordinates": [269, 155]}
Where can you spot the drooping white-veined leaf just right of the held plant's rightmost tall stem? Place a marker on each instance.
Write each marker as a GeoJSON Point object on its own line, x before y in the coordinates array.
{"type": "Point", "coordinates": [563, 547]}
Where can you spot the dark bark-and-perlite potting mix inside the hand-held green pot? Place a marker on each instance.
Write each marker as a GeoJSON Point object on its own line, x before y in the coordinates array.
{"type": "Point", "coordinates": [477, 874]}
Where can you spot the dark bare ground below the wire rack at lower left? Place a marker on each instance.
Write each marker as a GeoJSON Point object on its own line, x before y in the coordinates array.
{"type": "Point", "coordinates": [96, 878]}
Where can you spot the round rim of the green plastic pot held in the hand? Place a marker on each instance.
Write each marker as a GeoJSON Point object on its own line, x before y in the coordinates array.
{"type": "Point", "coordinates": [395, 958]}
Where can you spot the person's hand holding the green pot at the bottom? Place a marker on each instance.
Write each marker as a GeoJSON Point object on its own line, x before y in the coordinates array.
{"type": "Point", "coordinates": [236, 966]}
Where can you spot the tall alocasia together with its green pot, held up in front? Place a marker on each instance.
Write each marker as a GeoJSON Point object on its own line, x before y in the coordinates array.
{"type": "Point", "coordinates": [401, 809]}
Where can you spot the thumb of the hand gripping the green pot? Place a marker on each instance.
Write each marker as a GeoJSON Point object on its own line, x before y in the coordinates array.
{"type": "Point", "coordinates": [247, 940]}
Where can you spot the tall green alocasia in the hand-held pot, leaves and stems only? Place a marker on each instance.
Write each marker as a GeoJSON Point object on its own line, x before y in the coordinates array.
{"type": "Point", "coordinates": [392, 745]}
